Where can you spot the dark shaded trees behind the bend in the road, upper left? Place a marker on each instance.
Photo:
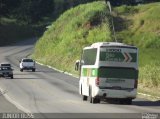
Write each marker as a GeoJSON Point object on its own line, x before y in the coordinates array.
{"type": "Point", "coordinates": [22, 19]}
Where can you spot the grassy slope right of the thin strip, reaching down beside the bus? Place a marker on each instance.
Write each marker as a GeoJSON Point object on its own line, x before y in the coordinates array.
{"type": "Point", "coordinates": [142, 28]}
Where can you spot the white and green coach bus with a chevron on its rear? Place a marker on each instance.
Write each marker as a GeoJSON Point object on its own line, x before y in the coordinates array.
{"type": "Point", "coordinates": [108, 70]}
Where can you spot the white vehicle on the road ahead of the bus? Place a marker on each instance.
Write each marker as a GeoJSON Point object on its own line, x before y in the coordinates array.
{"type": "Point", "coordinates": [27, 64]}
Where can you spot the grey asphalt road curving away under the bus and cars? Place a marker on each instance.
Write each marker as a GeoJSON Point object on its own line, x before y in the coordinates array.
{"type": "Point", "coordinates": [48, 91]}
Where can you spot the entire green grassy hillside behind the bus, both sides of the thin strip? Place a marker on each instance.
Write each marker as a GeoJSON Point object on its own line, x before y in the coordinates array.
{"type": "Point", "coordinates": [81, 26]}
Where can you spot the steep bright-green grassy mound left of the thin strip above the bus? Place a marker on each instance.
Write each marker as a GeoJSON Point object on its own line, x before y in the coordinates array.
{"type": "Point", "coordinates": [62, 44]}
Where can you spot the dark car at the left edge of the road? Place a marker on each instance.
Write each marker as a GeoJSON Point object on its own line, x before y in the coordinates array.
{"type": "Point", "coordinates": [6, 70]}
